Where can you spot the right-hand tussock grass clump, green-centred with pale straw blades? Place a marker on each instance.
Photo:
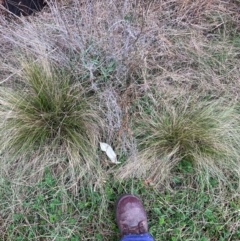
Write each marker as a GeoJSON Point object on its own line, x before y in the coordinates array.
{"type": "Point", "coordinates": [203, 132]}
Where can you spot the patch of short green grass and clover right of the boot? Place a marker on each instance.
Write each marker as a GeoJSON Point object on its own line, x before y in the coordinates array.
{"type": "Point", "coordinates": [190, 215]}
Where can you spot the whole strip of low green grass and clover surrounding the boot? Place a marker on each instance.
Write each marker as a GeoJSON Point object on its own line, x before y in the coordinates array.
{"type": "Point", "coordinates": [45, 211]}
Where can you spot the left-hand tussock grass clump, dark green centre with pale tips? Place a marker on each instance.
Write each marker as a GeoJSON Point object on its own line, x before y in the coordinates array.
{"type": "Point", "coordinates": [49, 109]}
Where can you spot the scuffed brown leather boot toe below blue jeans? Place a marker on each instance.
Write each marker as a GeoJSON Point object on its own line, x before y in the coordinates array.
{"type": "Point", "coordinates": [130, 215]}
